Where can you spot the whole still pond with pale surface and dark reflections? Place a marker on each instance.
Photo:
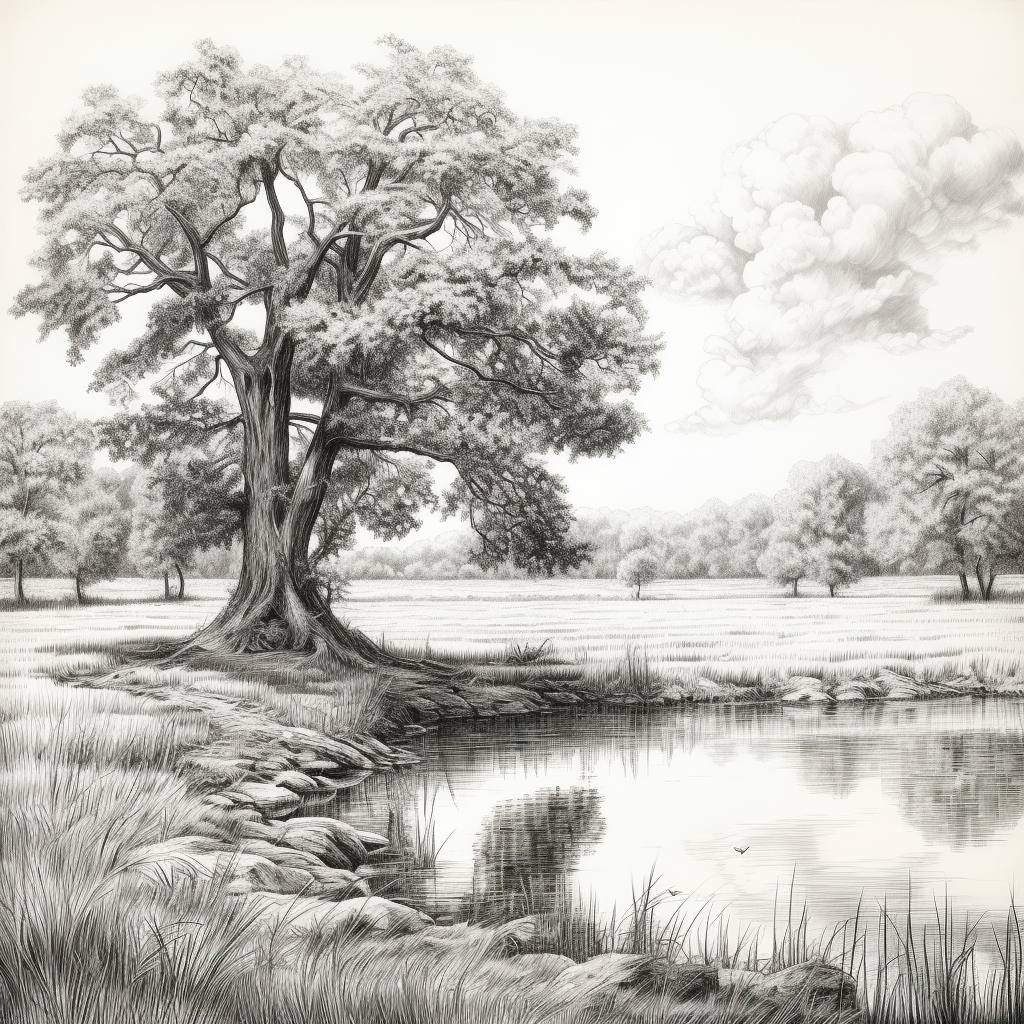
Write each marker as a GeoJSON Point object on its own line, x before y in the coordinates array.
{"type": "Point", "coordinates": [844, 804]}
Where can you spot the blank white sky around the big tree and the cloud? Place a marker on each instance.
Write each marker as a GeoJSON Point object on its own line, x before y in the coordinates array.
{"type": "Point", "coordinates": [659, 92]}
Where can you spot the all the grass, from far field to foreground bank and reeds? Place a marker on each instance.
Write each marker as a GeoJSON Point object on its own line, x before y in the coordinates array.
{"type": "Point", "coordinates": [96, 783]}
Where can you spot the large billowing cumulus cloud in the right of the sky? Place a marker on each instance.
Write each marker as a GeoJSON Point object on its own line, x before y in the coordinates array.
{"type": "Point", "coordinates": [823, 237]}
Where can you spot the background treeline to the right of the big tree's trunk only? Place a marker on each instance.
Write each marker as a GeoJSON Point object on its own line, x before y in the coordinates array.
{"type": "Point", "coordinates": [945, 493]}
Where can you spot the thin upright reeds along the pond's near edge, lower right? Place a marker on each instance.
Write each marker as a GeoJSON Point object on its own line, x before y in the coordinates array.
{"type": "Point", "coordinates": [911, 972]}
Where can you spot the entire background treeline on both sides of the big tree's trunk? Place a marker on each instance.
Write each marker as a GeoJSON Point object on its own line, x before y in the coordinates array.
{"type": "Point", "coordinates": [945, 493]}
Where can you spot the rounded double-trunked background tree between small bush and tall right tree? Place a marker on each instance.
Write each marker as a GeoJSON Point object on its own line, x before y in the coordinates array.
{"type": "Point", "coordinates": [819, 527]}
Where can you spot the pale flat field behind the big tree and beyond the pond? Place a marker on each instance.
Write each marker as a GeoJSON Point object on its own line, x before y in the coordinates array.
{"type": "Point", "coordinates": [738, 631]}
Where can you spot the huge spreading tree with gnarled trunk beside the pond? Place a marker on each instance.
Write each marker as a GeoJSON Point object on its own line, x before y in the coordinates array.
{"type": "Point", "coordinates": [371, 262]}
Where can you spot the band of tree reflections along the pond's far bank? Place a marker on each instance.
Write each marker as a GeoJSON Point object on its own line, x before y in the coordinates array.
{"type": "Point", "coordinates": [957, 775]}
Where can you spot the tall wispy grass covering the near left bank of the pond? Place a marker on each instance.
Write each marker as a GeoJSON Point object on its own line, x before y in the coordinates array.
{"type": "Point", "coordinates": [88, 788]}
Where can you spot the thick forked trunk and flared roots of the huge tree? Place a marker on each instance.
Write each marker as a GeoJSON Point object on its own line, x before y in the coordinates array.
{"type": "Point", "coordinates": [277, 606]}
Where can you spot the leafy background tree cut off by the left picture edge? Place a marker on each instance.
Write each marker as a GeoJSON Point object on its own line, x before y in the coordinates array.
{"type": "Point", "coordinates": [45, 452]}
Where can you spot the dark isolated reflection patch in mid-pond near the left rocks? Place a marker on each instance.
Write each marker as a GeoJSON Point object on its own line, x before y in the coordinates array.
{"type": "Point", "coordinates": [529, 846]}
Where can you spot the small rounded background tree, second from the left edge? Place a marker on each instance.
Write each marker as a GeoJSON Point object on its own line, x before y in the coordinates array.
{"type": "Point", "coordinates": [93, 535]}
